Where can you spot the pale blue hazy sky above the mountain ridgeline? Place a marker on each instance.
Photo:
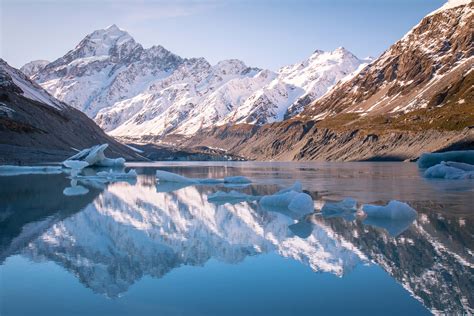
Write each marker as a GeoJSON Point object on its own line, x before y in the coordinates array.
{"type": "Point", "coordinates": [262, 33]}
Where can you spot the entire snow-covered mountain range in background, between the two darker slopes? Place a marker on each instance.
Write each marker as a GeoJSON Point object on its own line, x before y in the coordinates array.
{"type": "Point", "coordinates": [135, 92]}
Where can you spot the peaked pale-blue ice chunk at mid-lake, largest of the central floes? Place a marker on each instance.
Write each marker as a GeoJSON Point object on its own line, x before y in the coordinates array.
{"type": "Point", "coordinates": [290, 199]}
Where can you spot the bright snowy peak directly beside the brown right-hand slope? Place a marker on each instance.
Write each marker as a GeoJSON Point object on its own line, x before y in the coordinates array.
{"type": "Point", "coordinates": [296, 86]}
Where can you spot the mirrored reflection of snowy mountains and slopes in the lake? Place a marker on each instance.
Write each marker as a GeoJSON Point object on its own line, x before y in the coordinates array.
{"type": "Point", "coordinates": [114, 235]}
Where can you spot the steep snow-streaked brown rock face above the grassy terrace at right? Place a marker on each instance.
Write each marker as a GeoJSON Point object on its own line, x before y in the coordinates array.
{"type": "Point", "coordinates": [437, 52]}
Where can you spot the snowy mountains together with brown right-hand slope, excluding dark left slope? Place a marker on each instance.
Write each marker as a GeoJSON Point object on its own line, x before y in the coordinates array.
{"type": "Point", "coordinates": [416, 97]}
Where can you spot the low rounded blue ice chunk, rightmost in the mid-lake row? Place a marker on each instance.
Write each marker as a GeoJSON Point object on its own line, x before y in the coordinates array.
{"type": "Point", "coordinates": [394, 210]}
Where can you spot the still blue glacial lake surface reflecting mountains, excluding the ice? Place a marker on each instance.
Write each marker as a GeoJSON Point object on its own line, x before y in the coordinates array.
{"type": "Point", "coordinates": [140, 248]}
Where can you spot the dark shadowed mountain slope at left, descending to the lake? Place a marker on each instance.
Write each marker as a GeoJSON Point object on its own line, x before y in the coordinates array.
{"type": "Point", "coordinates": [36, 127]}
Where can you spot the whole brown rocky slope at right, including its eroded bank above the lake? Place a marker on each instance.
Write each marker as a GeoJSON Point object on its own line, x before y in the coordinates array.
{"type": "Point", "coordinates": [416, 97]}
